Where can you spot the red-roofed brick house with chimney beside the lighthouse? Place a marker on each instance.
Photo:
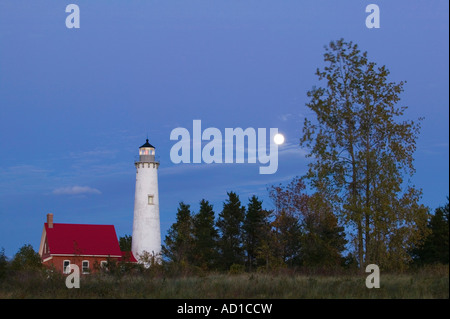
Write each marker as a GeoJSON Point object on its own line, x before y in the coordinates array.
{"type": "Point", "coordinates": [87, 246]}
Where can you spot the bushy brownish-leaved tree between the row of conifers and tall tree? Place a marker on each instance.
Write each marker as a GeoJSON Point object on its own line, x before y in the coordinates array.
{"type": "Point", "coordinates": [306, 230]}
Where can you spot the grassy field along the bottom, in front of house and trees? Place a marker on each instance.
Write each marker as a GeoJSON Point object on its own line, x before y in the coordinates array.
{"type": "Point", "coordinates": [415, 285]}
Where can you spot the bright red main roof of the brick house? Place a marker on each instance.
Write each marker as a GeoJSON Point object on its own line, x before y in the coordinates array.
{"type": "Point", "coordinates": [80, 239]}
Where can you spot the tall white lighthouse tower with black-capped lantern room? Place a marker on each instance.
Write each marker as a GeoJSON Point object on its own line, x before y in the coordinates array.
{"type": "Point", "coordinates": [146, 227]}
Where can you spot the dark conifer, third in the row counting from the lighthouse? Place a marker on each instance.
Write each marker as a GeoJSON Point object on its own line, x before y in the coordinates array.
{"type": "Point", "coordinates": [229, 225]}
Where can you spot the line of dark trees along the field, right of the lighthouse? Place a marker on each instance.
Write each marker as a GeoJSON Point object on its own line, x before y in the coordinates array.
{"type": "Point", "coordinates": [302, 231]}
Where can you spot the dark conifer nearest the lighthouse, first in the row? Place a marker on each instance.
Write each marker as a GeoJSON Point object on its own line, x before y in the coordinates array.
{"type": "Point", "coordinates": [179, 240]}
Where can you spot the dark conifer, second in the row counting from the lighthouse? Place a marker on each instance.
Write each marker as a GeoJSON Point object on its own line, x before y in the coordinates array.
{"type": "Point", "coordinates": [205, 237]}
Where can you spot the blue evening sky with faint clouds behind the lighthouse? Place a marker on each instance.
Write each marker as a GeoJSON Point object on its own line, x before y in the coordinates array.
{"type": "Point", "coordinates": [75, 104]}
